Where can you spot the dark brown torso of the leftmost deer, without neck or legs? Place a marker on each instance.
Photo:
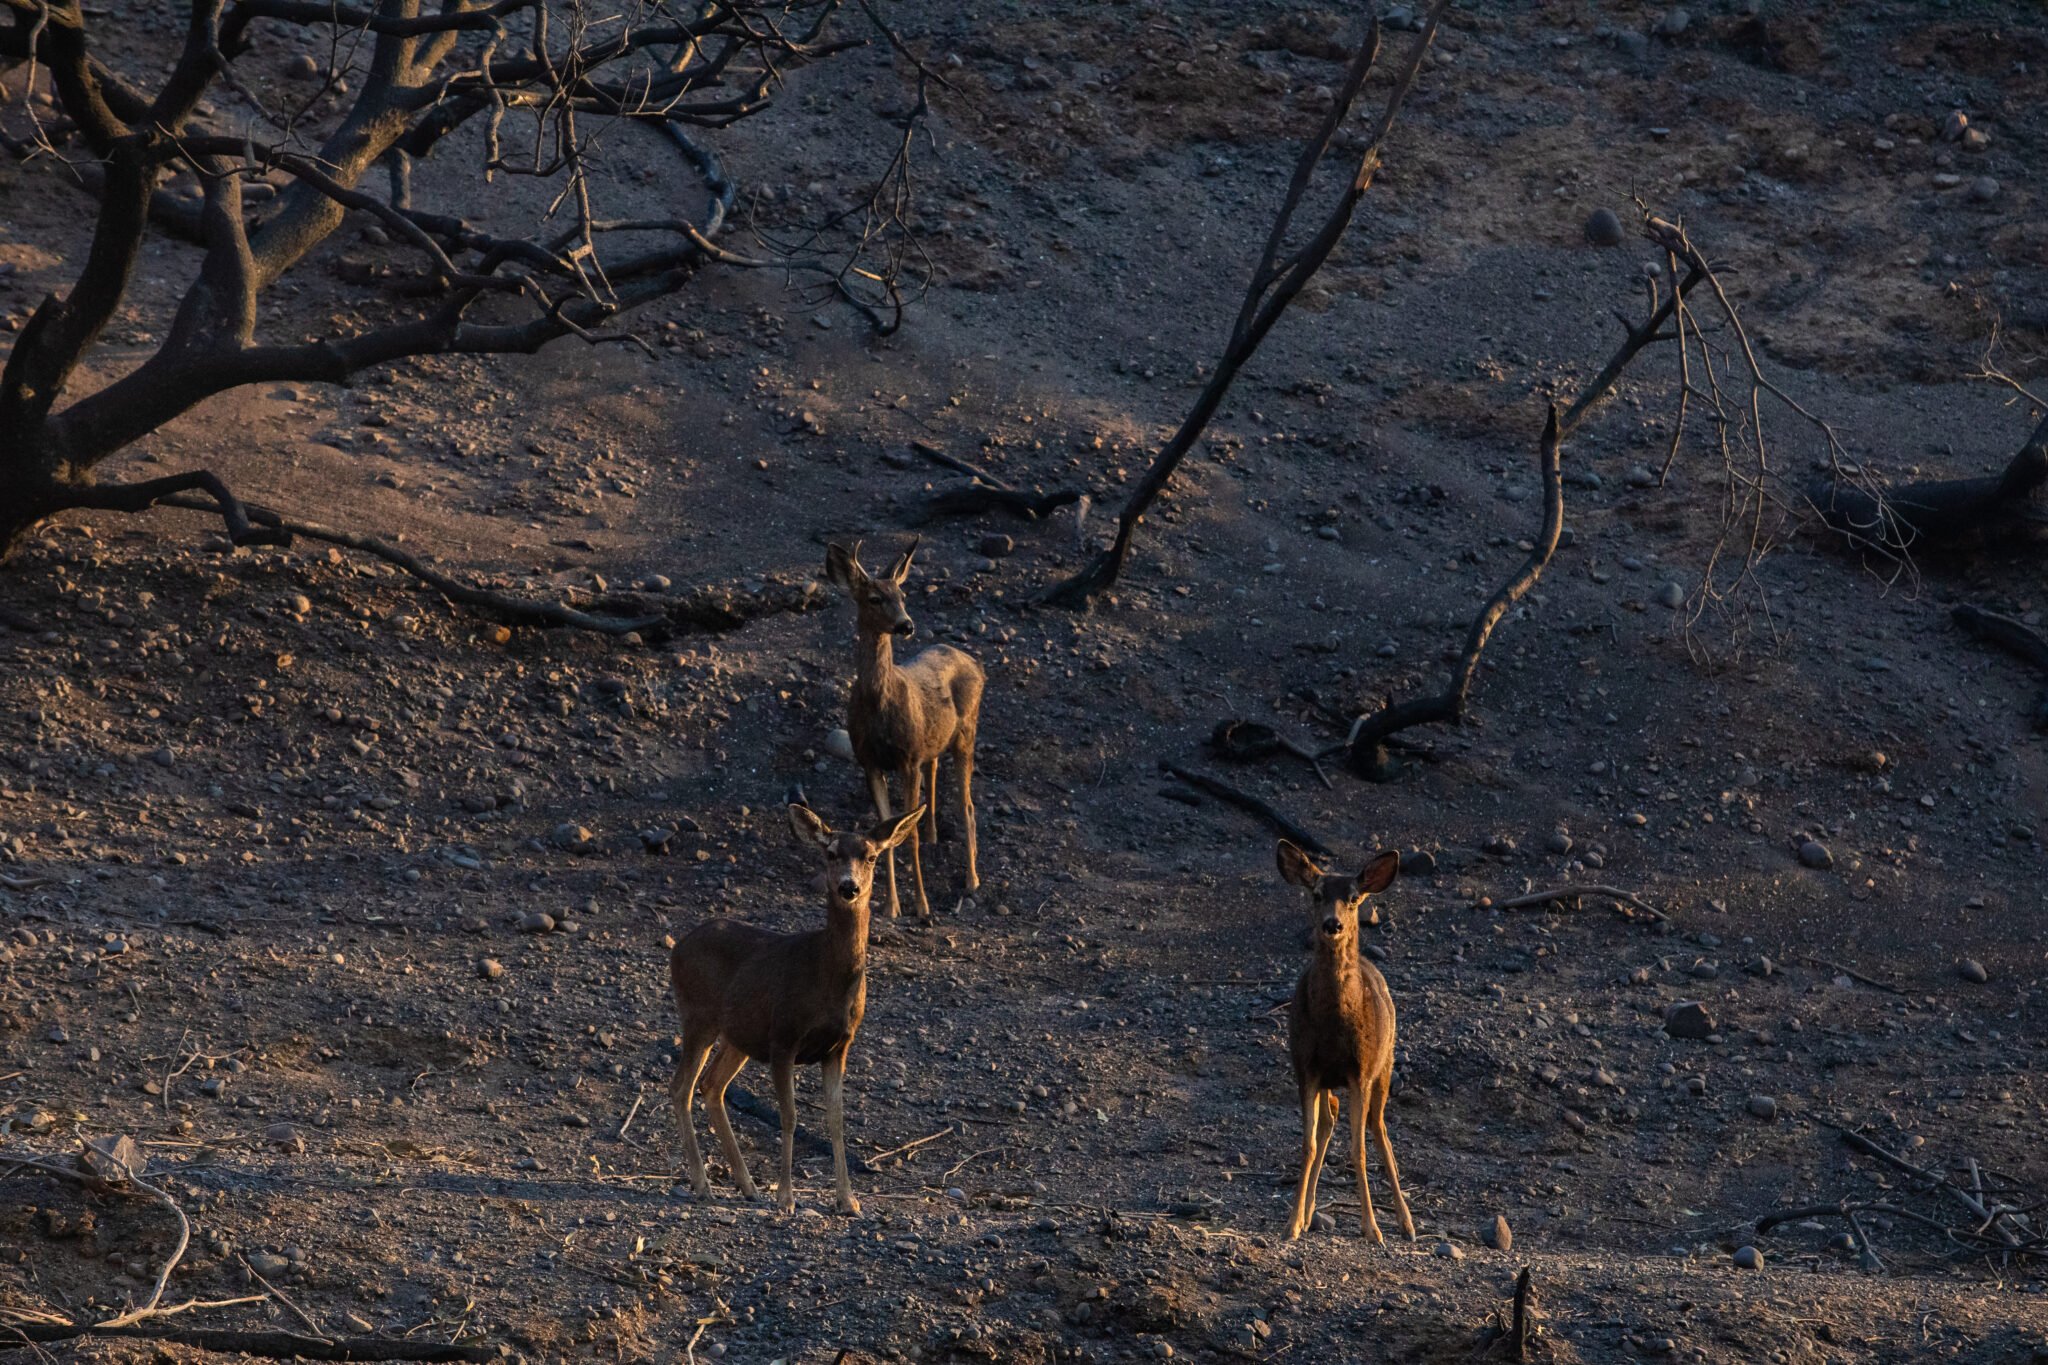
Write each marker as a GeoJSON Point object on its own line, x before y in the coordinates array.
{"type": "Point", "coordinates": [769, 994]}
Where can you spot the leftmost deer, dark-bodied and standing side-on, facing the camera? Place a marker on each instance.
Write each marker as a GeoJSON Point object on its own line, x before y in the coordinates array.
{"type": "Point", "coordinates": [787, 1000]}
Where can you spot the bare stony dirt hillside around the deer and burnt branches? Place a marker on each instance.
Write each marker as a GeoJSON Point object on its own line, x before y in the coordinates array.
{"type": "Point", "coordinates": [294, 809]}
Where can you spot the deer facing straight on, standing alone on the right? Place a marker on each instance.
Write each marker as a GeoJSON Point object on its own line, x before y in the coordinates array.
{"type": "Point", "coordinates": [1342, 1034]}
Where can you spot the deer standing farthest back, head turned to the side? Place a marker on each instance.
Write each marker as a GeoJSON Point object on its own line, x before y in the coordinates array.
{"type": "Point", "coordinates": [906, 717]}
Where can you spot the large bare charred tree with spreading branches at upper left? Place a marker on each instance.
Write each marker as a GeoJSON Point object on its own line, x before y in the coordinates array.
{"type": "Point", "coordinates": [534, 91]}
